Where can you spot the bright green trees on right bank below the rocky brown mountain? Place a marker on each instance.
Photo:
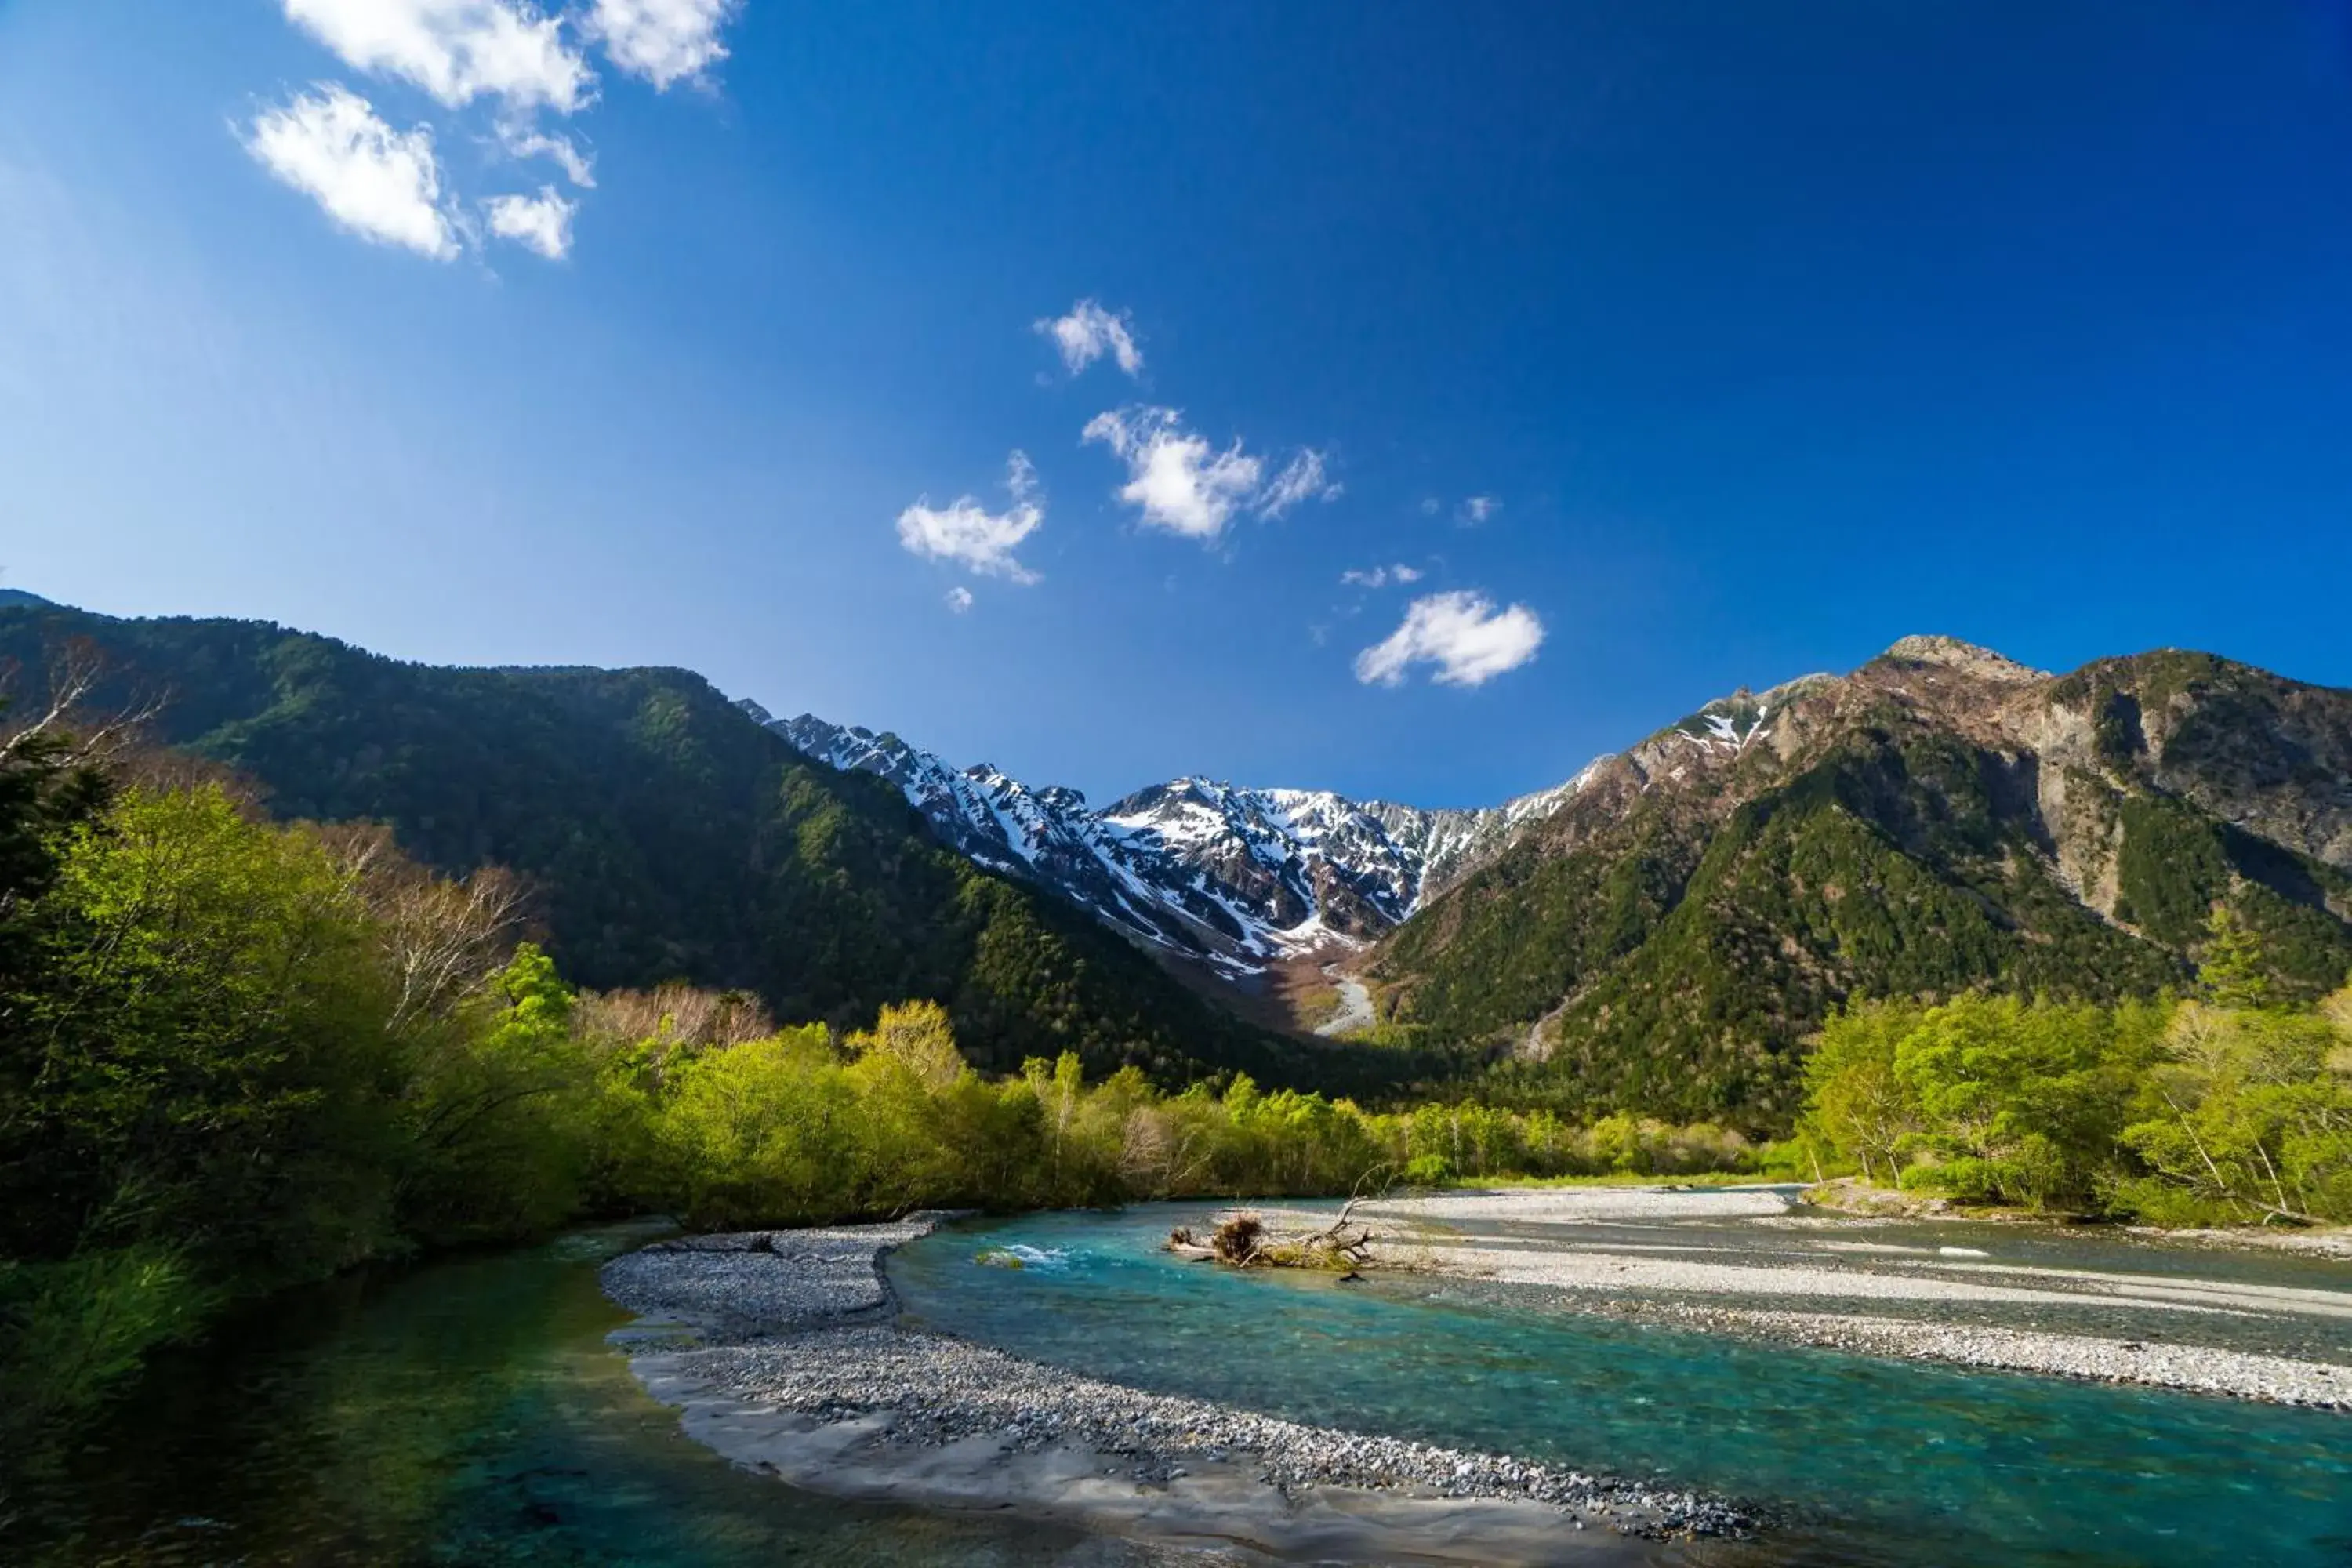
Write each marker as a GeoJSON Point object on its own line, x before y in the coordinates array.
{"type": "Point", "coordinates": [2214, 1111]}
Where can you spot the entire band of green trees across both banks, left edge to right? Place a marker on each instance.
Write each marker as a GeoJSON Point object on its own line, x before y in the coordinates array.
{"type": "Point", "coordinates": [241, 1054]}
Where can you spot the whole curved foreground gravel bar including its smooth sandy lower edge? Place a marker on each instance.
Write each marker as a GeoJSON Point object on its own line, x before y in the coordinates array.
{"type": "Point", "coordinates": [777, 1351]}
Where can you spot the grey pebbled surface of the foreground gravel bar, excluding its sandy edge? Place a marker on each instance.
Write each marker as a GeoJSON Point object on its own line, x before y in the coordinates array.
{"type": "Point", "coordinates": [799, 1322]}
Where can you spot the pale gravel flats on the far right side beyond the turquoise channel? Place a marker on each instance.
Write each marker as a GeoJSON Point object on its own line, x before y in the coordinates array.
{"type": "Point", "coordinates": [1843, 1289]}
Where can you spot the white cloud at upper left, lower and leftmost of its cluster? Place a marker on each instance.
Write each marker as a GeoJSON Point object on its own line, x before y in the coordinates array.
{"type": "Point", "coordinates": [368, 177]}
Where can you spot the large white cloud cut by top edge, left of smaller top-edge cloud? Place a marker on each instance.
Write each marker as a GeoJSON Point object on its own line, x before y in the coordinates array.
{"type": "Point", "coordinates": [457, 51]}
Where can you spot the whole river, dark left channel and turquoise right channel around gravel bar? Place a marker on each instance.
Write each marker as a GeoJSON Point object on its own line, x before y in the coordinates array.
{"type": "Point", "coordinates": [472, 1412]}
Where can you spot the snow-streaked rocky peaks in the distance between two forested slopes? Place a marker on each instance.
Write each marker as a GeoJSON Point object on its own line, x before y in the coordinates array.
{"type": "Point", "coordinates": [1224, 876]}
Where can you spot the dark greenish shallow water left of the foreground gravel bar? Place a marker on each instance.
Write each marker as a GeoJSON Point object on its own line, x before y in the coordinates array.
{"type": "Point", "coordinates": [455, 1414]}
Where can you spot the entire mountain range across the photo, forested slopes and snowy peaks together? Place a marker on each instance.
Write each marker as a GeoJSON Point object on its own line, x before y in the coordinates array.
{"type": "Point", "coordinates": [1657, 934]}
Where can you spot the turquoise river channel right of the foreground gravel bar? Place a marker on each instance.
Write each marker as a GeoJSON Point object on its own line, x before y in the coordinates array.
{"type": "Point", "coordinates": [1885, 1461]}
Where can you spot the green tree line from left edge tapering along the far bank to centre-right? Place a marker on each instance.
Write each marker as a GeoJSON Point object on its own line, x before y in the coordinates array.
{"type": "Point", "coordinates": [241, 1054]}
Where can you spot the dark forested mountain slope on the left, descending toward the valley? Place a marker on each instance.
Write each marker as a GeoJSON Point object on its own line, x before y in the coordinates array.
{"type": "Point", "coordinates": [667, 836]}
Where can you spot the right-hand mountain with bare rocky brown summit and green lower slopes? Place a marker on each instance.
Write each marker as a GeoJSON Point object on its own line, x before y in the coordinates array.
{"type": "Point", "coordinates": [1937, 822]}
